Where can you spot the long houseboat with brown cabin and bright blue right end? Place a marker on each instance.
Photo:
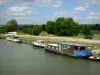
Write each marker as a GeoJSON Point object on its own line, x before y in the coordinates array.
{"type": "Point", "coordinates": [70, 49]}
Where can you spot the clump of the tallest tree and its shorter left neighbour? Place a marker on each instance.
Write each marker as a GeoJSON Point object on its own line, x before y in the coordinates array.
{"type": "Point", "coordinates": [63, 27]}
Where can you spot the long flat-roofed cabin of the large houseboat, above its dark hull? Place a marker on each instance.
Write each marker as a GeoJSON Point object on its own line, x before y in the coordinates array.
{"type": "Point", "coordinates": [69, 48]}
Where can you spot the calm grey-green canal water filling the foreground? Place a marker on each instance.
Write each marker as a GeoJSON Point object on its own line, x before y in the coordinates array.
{"type": "Point", "coordinates": [23, 59]}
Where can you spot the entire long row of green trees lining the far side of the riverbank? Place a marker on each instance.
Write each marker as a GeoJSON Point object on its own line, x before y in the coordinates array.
{"type": "Point", "coordinates": [61, 26]}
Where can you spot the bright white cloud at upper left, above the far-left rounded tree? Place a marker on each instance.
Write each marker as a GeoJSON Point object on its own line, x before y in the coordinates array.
{"type": "Point", "coordinates": [20, 11]}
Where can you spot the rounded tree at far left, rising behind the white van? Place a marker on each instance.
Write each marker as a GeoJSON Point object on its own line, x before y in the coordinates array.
{"type": "Point", "coordinates": [12, 25]}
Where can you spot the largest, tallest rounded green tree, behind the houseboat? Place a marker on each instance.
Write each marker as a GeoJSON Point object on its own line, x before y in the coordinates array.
{"type": "Point", "coordinates": [66, 27]}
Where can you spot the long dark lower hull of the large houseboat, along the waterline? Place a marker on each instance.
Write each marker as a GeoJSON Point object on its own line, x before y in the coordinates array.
{"type": "Point", "coordinates": [64, 54]}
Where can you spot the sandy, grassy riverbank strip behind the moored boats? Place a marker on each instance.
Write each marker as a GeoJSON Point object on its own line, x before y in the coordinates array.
{"type": "Point", "coordinates": [28, 39]}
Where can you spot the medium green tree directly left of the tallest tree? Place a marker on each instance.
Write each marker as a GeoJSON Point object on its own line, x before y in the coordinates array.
{"type": "Point", "coordinates": [50, 28]}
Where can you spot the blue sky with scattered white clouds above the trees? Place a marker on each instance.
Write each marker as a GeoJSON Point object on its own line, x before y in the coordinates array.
{"type": "Point", "coordinates": [41, 11]}
